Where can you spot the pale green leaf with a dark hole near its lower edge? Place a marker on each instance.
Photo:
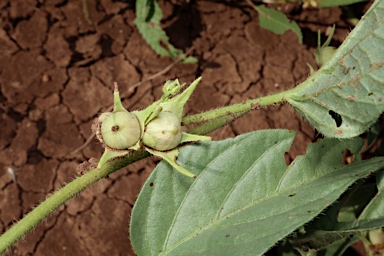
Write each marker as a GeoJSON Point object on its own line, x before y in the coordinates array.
{"type": "Point", "coordinates": [346, 96]}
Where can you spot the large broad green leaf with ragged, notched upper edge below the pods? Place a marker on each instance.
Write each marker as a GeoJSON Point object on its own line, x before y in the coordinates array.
{"type": "Point", "coordinates": [244, 198]}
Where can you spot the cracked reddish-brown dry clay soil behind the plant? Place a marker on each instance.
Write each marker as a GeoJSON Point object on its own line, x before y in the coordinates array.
{"type": "Point", "coordinates": [56, 75]}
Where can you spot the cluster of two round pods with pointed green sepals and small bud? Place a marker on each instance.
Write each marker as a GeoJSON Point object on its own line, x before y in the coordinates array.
{"type": "Point", "coordinates": [157, 129]}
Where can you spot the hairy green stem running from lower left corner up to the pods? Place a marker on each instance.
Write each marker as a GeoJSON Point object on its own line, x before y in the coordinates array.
{"type": "Point", "coordinates": [61, 196]}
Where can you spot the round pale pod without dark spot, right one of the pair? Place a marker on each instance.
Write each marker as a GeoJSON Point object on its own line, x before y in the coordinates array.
{"type": "Point", "coordinates": [164, 132]}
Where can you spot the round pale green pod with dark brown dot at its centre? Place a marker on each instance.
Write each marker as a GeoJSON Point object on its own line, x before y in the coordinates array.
{"type": "Point", "coordinates": [120, 130]}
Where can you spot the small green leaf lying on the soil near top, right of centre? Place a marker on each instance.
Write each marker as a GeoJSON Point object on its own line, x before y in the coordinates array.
{"type": "Point", "coordinates": [277, 22]}
